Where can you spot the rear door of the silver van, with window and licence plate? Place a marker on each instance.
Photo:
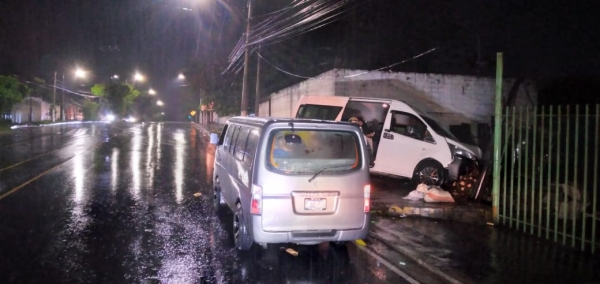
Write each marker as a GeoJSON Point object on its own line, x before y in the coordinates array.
{"type": "Point", "coordinates": [318, 186]}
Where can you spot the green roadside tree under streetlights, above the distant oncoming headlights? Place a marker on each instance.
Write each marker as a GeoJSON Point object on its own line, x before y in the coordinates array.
{"type": "Point", "coordinates": [119, 96]}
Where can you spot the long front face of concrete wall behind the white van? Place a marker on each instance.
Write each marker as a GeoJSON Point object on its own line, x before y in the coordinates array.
{"type": "Point", "coordinates": [451, 98]}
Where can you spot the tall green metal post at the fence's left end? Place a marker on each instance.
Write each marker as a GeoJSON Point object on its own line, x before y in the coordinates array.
{"type": "Point", "coordinates": [497, 139]}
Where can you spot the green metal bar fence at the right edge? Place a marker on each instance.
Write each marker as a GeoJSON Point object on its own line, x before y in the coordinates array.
{"type": "Point", "coordinates": [549, 173]}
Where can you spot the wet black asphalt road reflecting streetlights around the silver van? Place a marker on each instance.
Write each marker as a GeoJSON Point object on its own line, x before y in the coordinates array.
{"type": "Point", "coordinates": [101, 203]}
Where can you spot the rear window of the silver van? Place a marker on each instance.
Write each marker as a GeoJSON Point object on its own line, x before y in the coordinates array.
{"type": "Point", "coordinates": [311, 151]}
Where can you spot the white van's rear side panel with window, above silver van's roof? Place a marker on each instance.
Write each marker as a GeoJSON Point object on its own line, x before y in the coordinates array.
{"type": "Point", "coordinates": [321, 107]}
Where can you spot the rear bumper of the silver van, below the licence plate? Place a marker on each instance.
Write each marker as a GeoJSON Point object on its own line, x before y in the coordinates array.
{"type": "Point", "coordinates": [308, 237]}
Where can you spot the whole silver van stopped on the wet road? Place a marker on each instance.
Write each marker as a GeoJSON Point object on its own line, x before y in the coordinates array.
{"type": "Point", "coordinates": [292, 180]}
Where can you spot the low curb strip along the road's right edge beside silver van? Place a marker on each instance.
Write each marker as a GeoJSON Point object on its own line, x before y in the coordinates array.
{"type": "Point", "coordinates": [420, 258]}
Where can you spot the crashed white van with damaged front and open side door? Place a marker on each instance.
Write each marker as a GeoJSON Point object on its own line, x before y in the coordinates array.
{"type": "Point", "coordinates": [407, 143]}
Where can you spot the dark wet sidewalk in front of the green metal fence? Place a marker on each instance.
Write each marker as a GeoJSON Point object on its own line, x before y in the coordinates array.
{"type": "Point", "coordinates": [466, 253]}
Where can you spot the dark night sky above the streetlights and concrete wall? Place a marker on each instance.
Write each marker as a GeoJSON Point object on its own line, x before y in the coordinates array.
{"type": "Point", "coordinates": [541, 40]}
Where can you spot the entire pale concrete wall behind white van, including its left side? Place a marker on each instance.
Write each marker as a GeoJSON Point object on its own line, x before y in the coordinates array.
{"type": "Point", "coordinates": [454, 99]}
